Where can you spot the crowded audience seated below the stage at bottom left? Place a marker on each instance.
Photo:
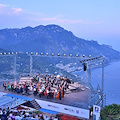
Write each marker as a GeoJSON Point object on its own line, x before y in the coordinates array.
{"type": "Point", "coordinates": [7, 114]}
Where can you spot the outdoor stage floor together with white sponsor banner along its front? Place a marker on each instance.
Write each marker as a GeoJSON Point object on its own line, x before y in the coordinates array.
{"type": "Point", "coordinates": [74, 103]}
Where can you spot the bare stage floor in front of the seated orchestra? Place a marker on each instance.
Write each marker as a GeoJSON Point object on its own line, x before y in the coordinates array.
{"type": "Point", "coordinates": [76, 99]}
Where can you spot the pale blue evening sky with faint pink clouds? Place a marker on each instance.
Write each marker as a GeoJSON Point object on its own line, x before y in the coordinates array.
{"type": "Point", "coordinates": [97, 20]}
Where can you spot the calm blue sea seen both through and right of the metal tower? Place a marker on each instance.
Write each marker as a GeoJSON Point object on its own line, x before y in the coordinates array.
{"type": "Point", "coordinates": [111, 81]}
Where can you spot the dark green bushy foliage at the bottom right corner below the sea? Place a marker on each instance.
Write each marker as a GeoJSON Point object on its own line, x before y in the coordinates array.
{"type": "Point", "coordinates": [110, 112]}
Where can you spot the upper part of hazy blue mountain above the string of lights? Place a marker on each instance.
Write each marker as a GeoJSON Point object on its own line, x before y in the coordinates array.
{"type": "Point", "coordinates": [52, 39]}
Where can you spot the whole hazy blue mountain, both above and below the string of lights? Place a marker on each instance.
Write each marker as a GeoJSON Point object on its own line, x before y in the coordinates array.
{"type": "Point", "coordinates": [47, 39]}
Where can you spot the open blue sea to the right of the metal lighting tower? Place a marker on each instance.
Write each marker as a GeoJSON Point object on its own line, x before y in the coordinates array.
{"type": "Point", "coordinates": [112, 83]}
